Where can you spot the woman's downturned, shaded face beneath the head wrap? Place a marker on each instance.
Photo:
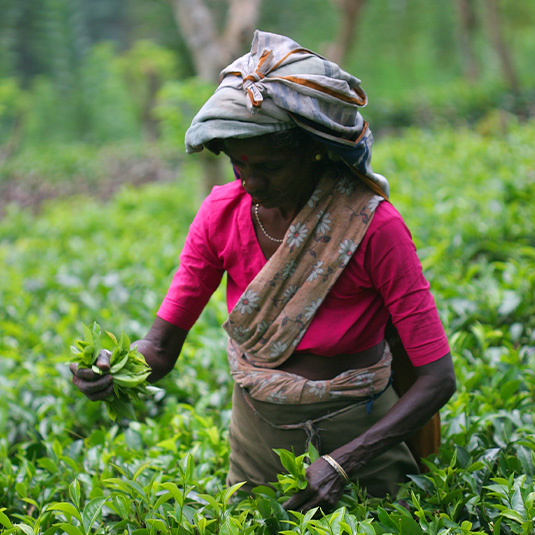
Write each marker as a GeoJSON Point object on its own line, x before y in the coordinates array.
{"type": "Point", "coordinates": [274, 176]}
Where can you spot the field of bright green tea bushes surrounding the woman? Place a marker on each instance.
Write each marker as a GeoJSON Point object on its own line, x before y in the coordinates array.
{"type": "Point", "coordinates": [65, 467]}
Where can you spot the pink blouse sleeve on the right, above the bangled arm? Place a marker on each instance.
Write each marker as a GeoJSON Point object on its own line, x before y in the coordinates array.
{"type": "Point", "coordinates": [396, 272]}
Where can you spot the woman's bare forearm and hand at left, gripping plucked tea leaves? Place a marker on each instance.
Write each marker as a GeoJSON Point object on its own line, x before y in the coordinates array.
{"type": "Point", "coordinates": [160, 347]}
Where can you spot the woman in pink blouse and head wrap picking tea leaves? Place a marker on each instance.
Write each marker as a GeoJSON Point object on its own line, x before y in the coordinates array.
{"type": "Point", "coordinates": [317, 262]}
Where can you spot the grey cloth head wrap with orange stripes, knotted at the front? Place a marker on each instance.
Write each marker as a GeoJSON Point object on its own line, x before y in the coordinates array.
{"type": "Point", "coordinates": [279, 85]}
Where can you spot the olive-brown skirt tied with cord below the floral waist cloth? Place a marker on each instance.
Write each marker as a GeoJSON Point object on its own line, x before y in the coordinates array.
{"type": "Point", "coordinates": [259, 427]}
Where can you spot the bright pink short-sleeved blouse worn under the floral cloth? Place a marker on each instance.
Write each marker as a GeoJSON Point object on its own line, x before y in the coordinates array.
{"type": "Point", "coordinates": [384, 278]}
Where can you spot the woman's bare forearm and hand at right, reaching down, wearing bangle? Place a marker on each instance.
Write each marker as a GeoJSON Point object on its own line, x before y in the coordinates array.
{"type": "Point", "coordinates": [434, 386]}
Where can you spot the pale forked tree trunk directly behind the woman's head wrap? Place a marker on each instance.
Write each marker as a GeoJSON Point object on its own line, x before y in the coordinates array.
{"type": "Point", "coordinates": [211, 51]}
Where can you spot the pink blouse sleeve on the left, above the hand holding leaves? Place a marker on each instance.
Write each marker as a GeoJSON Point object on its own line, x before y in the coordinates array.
{"type": "Point", "coordinates": [197, 277]}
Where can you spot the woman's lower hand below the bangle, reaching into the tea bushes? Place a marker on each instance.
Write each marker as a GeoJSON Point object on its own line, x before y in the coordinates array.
{"type": "Point", "coordinates": [324, 489]}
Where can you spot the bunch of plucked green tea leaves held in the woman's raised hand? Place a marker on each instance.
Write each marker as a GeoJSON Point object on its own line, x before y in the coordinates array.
{"type": "Point", "coordinates": [127, 366]}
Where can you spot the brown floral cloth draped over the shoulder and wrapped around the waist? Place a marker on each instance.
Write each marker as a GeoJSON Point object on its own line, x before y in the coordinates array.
{"type": "Point", "coordinates": [277, 307]}
